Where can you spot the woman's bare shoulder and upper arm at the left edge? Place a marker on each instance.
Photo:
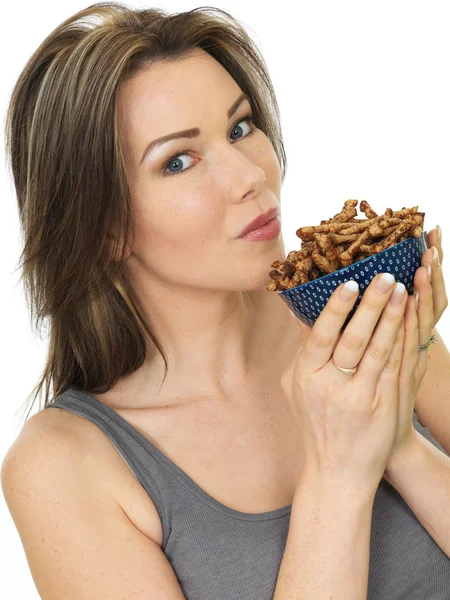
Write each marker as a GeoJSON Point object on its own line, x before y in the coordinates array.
{"type": "Point", "coordinates": [77, 539]}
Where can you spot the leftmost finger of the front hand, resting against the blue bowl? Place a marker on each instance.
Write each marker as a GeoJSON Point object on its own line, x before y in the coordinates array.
{"type": "Point", "coordinates": [322, 338]}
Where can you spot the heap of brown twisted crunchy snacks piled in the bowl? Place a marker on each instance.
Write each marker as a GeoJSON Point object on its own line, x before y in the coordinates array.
{"type": "Point", "coordinates": [343, 240]}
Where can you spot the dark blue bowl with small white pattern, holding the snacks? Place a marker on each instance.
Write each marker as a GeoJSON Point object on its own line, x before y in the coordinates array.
{"type": "Point", "coordinates": [308, 300]}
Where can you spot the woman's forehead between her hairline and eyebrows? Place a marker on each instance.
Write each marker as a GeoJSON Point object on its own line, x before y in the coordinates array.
{"type": "Point", "coordinates": [173, 95]}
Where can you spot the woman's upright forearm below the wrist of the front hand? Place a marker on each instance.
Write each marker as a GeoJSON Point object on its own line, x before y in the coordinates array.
{"type": "Point", "coordinates": [327, 549]}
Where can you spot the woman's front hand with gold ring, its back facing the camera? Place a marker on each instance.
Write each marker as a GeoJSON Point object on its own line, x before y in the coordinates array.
{"type": "Point", "coordinates": [348, 422]}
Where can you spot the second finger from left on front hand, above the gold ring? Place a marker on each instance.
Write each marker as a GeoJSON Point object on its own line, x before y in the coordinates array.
{"type": "Point", "coordinates": [356, 337]}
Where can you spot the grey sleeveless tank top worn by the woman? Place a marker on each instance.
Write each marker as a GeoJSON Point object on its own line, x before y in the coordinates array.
{"type": "Point", "coordinates": [223, 554]}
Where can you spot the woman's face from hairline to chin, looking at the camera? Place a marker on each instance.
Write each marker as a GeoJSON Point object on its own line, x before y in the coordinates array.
{"type": "Point", "coordinates": [189, 211]}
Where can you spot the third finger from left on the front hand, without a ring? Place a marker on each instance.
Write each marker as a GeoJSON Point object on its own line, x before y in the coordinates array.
{"type": "Point", "coordinates": [374, 359]}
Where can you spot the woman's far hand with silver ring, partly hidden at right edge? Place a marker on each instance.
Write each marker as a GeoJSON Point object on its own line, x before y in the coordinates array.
{"type": "Point", "coordinates": [419, 327]}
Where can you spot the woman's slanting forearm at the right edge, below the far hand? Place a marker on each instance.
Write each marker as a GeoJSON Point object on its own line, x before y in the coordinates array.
{"type": "Point", "coordinates": [421, 475]}
